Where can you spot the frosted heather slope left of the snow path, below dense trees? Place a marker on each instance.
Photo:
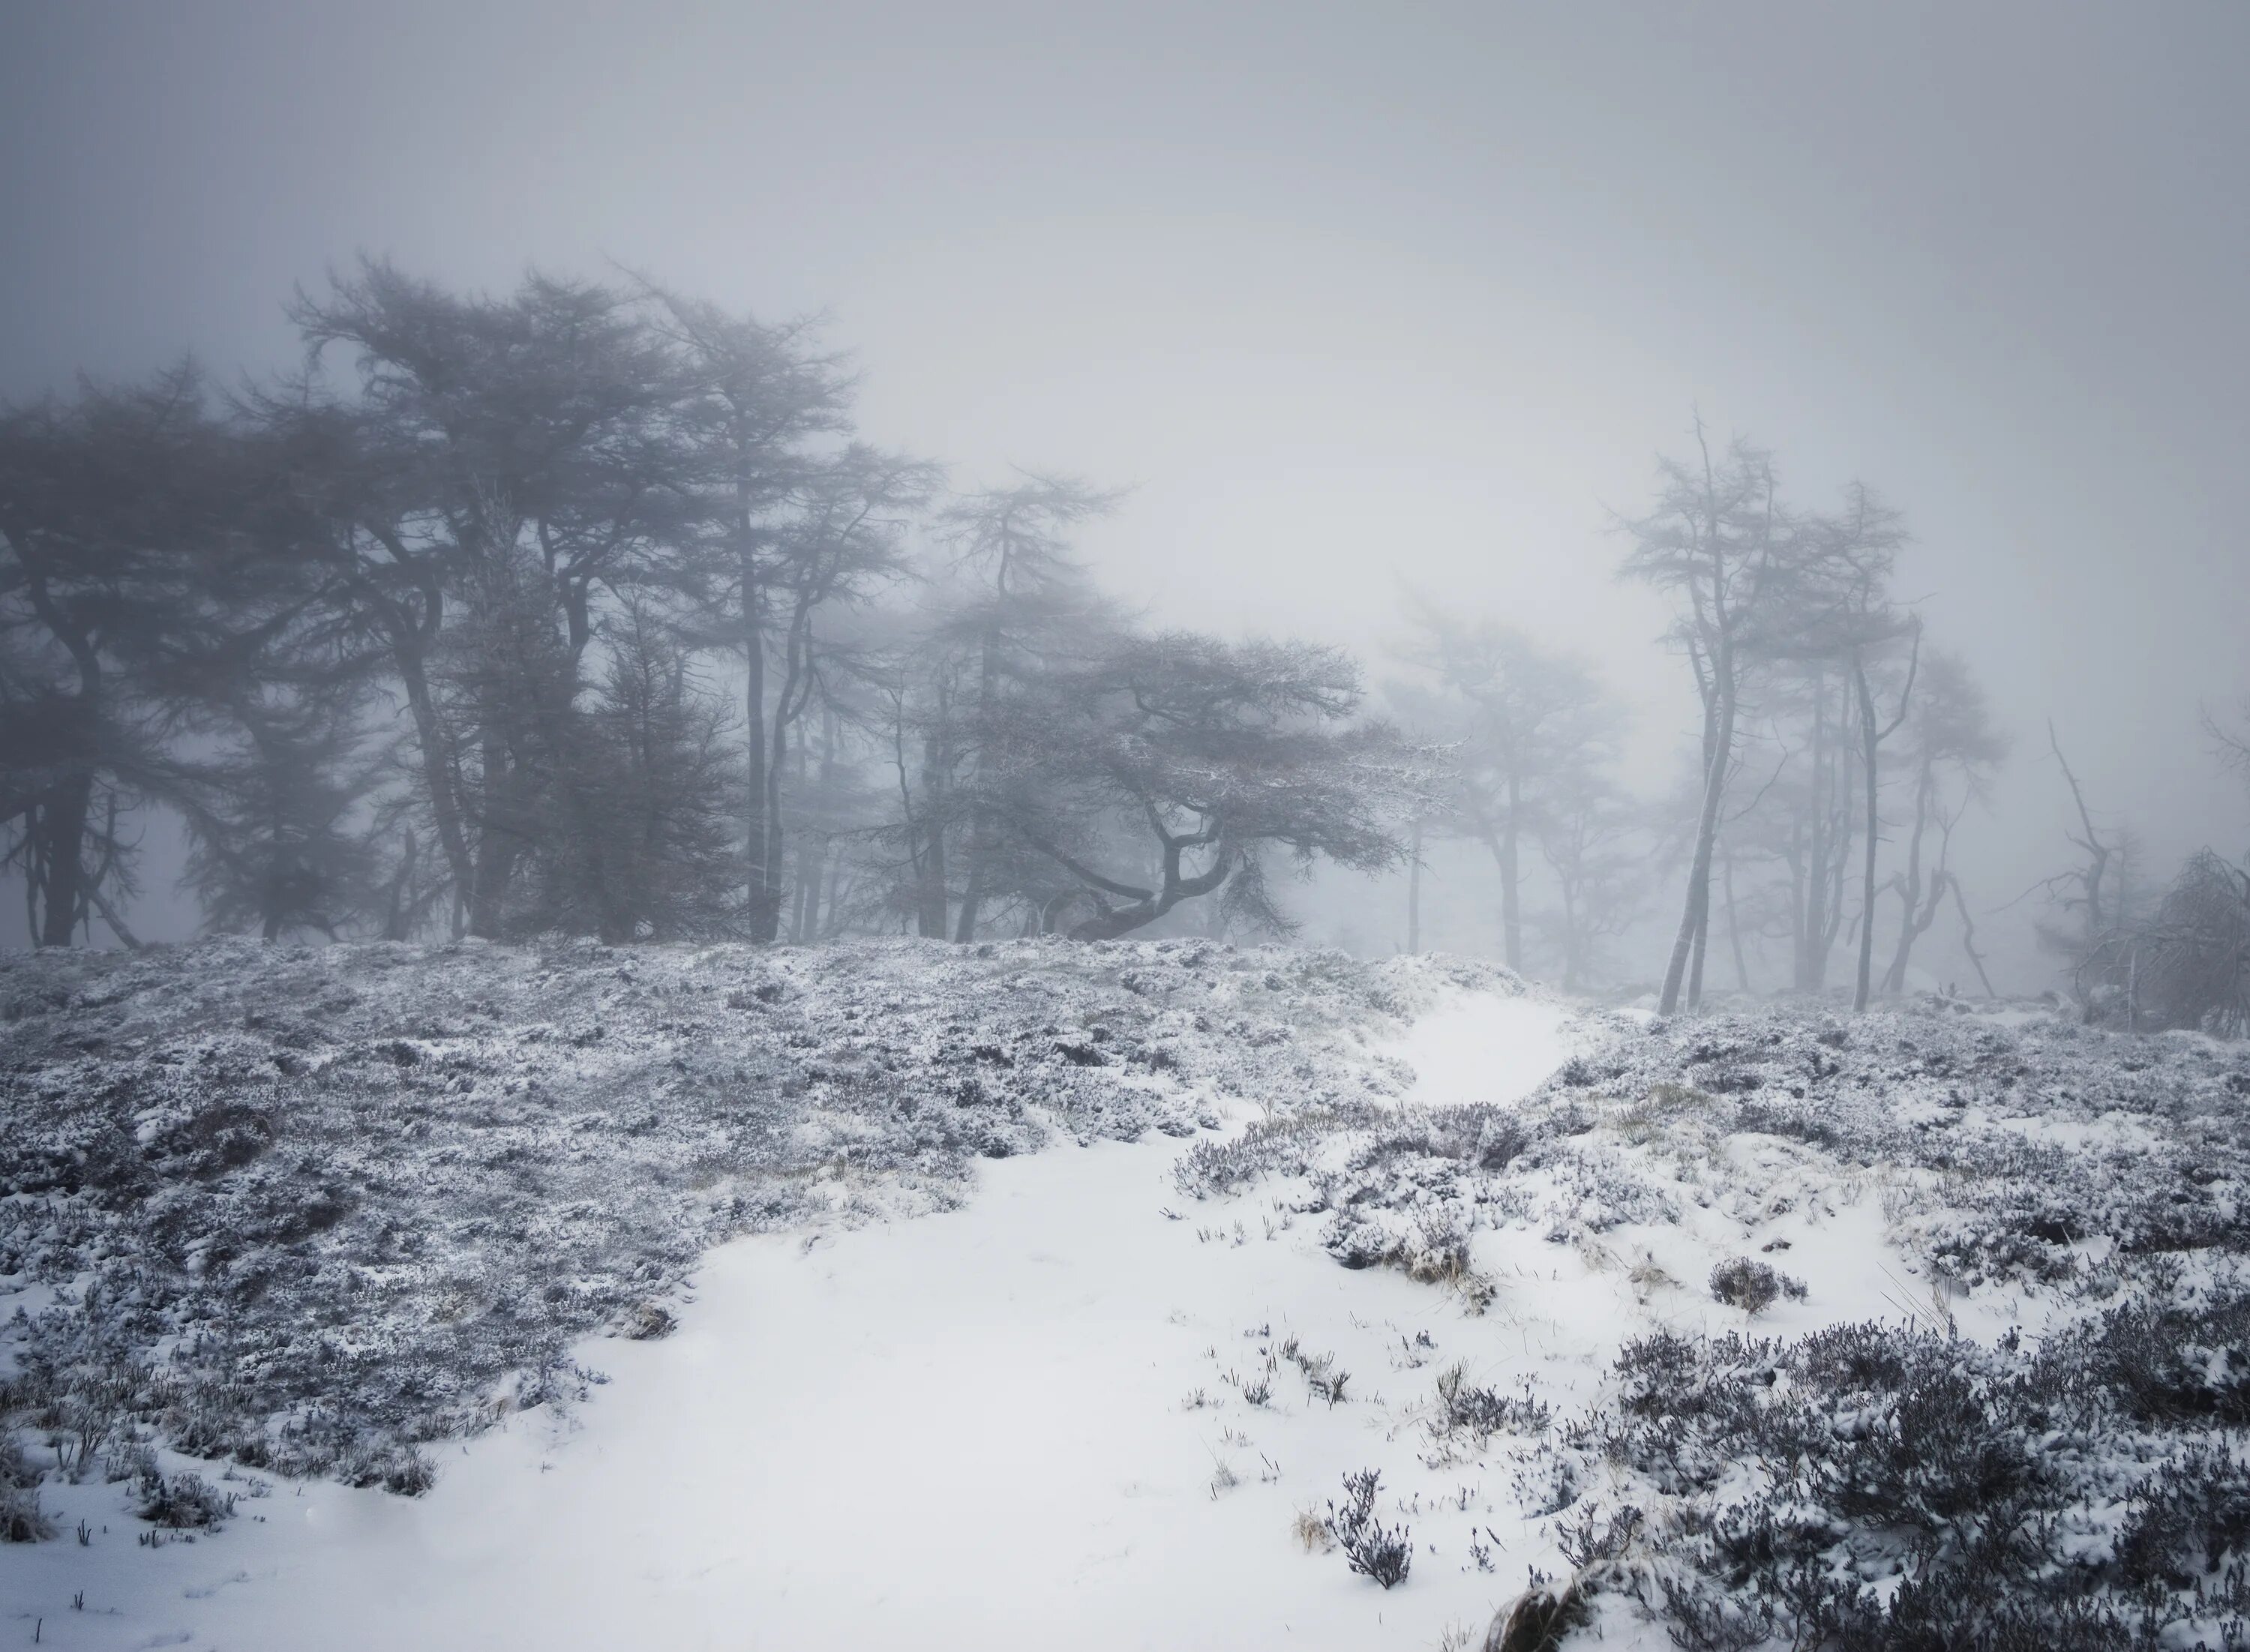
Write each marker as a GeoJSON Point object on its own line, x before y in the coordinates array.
{"type": "Point", "coordinates": [312, 1210]}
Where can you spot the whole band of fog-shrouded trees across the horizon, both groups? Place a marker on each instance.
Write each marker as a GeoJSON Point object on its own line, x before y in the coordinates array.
{"type": "Point", "coordinates": [586, 611]}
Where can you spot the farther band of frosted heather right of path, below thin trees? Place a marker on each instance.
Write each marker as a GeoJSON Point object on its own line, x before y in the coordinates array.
{"type": "Point", "coordinates": [2028, 1158]}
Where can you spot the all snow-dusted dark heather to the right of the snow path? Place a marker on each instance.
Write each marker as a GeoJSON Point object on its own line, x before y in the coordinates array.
{"type": "Point", "coordinates": [1866, 1487]}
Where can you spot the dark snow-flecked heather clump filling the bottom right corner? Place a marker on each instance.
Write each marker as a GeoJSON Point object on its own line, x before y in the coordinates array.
{"type": "Point", "coordinates": [1889, 1487]}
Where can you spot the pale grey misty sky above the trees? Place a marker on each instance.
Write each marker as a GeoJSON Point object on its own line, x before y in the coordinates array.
{"type": "Point", "coordinates": [1353, 294]}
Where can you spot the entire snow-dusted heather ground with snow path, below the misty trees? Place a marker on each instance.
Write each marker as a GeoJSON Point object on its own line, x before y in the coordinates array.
{"type": "Point", "coordinates": [1056, 1295]}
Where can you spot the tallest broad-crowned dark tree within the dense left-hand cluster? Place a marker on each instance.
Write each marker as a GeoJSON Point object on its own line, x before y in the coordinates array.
{"type": "Point", "coordinates": [503, 469]}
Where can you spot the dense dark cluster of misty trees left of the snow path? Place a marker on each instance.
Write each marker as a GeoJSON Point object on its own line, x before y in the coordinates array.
{"type": "Point", "coordinates": [584, 609]}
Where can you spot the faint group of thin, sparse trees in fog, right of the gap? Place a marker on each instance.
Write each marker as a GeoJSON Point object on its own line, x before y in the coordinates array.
{"type": "Point", "coordinates": [1830, 733]}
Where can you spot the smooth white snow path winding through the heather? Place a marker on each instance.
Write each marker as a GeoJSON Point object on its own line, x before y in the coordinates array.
{"type": "Point", "coordinates": [971, 1430]}
